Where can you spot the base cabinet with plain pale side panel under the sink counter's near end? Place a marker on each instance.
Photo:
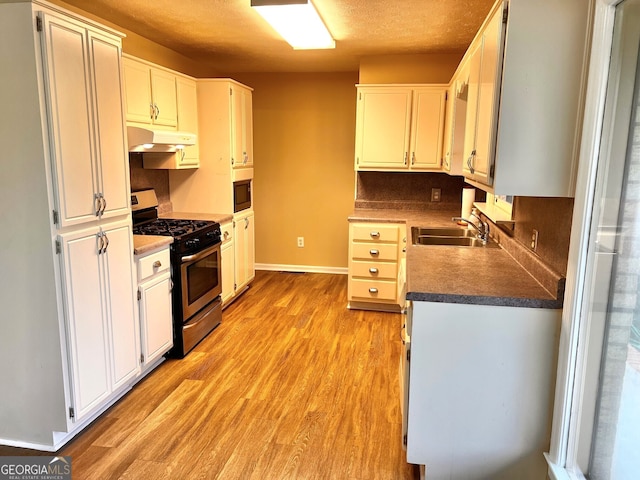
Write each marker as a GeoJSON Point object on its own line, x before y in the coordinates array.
{"type": "Point", "coordinates": [478, 390]}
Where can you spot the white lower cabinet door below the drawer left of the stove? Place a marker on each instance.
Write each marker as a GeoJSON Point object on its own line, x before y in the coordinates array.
{"type": "Point", "coordinates": [155, 317]}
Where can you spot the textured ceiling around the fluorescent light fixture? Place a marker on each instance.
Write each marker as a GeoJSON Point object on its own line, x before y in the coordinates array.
{"type": "Point", "coordinates": [229, 34]}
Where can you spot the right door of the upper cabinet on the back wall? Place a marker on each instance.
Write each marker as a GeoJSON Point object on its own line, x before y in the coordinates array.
{"type": "Point", "coordinates": [427, 128]}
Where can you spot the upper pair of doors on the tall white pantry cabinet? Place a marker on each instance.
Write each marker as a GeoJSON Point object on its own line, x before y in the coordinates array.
{"type": "Point", "coordinates": [82, 76]}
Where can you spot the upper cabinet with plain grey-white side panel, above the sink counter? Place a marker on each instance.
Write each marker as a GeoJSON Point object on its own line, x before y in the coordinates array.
{"type": "Point", "coordinates": [526, 84]}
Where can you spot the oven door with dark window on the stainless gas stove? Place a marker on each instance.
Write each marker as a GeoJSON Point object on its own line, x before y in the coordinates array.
{"type": "Point", "coordinates": [200, 279]}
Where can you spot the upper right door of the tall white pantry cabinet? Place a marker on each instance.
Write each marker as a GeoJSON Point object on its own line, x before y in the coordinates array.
{"type": "Point", "coordinates": [113, 158]}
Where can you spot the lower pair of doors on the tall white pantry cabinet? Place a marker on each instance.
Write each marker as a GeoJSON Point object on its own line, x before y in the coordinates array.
{"type": "Point", "coordinates": [103, 335]}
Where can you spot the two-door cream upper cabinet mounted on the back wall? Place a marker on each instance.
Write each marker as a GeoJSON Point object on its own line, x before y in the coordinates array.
{"type": "Point", "coordinates": [399, 127]}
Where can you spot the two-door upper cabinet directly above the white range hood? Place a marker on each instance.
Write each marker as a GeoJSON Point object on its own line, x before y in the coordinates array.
{"type": "Point", "coordinates": [150, 94]}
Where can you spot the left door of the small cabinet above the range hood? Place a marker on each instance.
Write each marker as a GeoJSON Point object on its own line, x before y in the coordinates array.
{"type": "Point", "coordinates": [139, 105]}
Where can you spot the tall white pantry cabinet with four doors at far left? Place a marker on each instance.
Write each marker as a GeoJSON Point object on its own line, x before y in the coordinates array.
{"type": "Point", "coordinates": [69, 337]}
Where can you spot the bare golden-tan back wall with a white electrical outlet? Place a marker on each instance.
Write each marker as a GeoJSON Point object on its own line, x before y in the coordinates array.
{"type": "Point", "coordinates": [304, 139]}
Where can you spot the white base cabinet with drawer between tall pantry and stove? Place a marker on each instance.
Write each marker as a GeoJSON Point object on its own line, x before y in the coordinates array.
{"type": "Point", "coordinates": [154, 297]}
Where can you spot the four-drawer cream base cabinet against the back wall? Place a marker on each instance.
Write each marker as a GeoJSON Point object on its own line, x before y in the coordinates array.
{"type": "Point", "coordinates": [376, 259]}
